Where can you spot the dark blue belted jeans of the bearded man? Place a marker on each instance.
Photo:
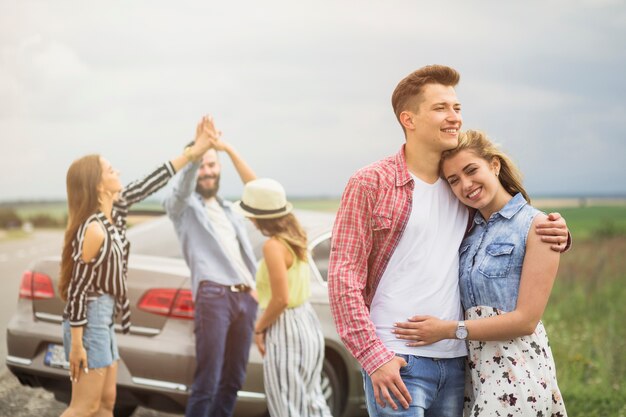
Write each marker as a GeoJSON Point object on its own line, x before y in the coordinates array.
{"type": "Point", "coordinates": [223, 325]}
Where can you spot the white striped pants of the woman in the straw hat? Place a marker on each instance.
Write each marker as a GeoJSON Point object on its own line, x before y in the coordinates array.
{"type": "Point", "coordinates": [292, 364]}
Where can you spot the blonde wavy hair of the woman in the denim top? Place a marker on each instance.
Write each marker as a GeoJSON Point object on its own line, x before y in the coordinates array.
{"type": "Point", "coordinates": [477, 142]}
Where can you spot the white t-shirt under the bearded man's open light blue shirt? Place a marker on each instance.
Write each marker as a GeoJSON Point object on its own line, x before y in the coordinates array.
{"type": "Point", "coordinates": [228, 239]}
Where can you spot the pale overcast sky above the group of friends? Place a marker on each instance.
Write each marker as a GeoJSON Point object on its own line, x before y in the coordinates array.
{"type": "Point", "coordinates": [302, 88]}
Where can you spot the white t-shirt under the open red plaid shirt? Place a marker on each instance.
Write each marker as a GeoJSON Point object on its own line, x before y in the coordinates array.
{"type": "Point", "coordinates": [422, 277]}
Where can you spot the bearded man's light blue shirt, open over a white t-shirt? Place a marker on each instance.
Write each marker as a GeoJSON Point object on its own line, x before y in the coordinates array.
{"type": "Point", "coordinates": [200, 244]}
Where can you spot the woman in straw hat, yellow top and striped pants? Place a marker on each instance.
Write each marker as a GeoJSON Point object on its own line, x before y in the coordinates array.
{"type": "Point", "coordinates": [288, 333]}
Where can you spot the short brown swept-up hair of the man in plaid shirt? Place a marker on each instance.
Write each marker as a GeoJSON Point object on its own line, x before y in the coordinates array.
{"type": "Point", "coordinates": [408, 91]}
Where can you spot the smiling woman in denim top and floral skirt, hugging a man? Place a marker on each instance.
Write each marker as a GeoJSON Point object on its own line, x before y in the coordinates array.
{"type": "Point", "coordinates": [506, 275]}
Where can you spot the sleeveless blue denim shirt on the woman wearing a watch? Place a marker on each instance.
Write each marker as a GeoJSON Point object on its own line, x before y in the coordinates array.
{"type": "Point", "coordinates": [492, 254]}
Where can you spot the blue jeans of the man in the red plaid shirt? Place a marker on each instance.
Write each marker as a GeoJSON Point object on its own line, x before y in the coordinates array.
{"type": "Point", "coordinates": [436, 387]}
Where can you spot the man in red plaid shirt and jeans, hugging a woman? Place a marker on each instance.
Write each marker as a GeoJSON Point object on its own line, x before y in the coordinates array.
{"type": "Point", "coordinates": [395, 255]}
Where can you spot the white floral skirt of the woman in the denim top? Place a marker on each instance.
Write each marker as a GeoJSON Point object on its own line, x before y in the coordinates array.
{"type": "Point", "coordinates": [511, 378]}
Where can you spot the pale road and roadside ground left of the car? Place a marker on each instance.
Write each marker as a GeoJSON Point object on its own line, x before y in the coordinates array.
{"type": "Point", "coordinates": [15, 257]}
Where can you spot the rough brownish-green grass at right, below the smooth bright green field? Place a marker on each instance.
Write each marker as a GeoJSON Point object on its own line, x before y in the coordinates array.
{"type": "Point", "coordinates": [584, 320]}
